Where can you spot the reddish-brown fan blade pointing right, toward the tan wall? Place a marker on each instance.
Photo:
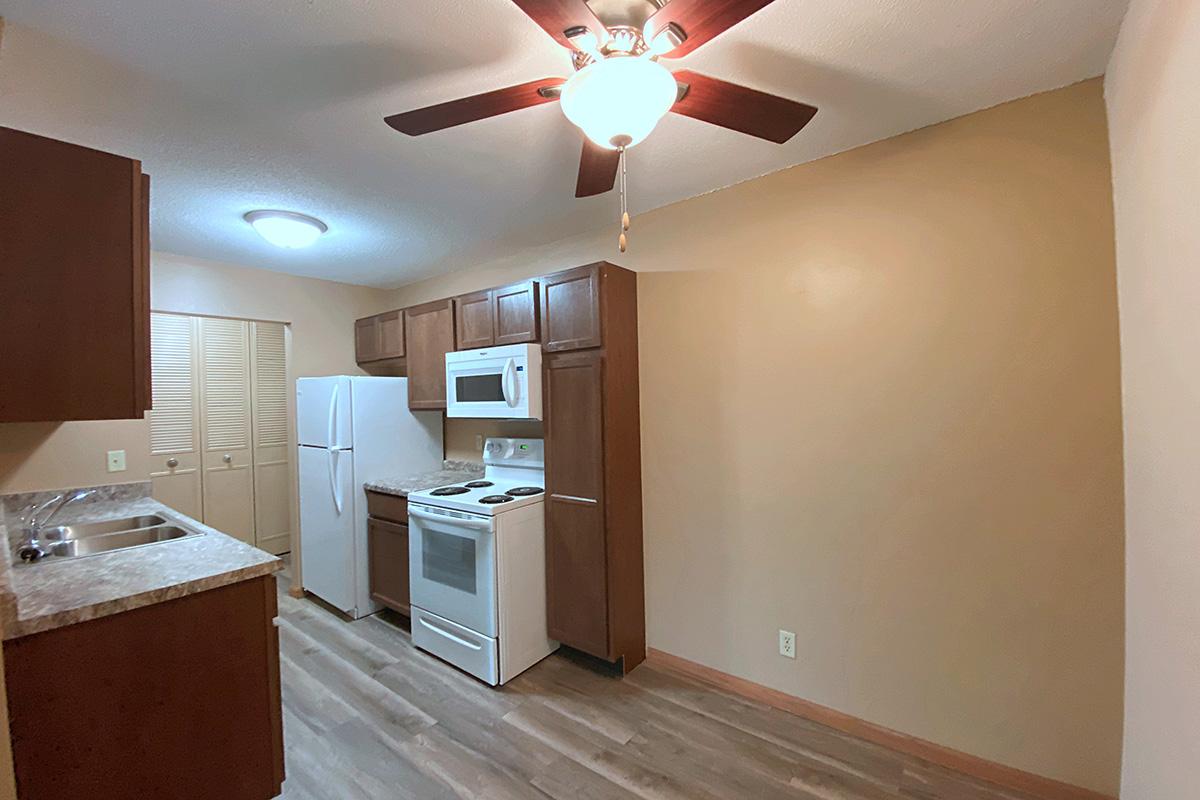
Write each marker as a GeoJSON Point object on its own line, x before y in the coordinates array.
{"type": "Point", "coordinates": [739, 109]}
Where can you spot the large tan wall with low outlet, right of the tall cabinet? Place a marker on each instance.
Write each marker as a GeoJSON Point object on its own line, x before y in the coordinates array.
{"type": "Point", "coordinates": [881, 410]}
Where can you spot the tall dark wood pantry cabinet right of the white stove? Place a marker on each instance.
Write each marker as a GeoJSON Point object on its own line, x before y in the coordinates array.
{"type": "Point", "coordinates": [595, 581]}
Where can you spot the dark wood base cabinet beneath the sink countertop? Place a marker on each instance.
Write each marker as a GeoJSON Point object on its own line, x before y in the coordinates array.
{"type": "Point", "coordinates": [176, 701]}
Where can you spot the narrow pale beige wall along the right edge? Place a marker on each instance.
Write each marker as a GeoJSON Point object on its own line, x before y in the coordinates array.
{"type": "Point", "coordinates": [1155, 119]}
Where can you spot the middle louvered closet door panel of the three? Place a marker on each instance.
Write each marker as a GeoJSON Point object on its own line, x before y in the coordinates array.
{"type": "Point", "coordinates": [226, 429]}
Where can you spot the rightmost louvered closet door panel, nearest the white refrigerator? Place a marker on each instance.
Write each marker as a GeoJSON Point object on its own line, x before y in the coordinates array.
{"type": "Point", "coordinates": [269, 395]}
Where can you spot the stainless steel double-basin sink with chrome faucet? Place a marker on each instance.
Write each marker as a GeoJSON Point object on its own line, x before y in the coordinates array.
{"type": "Point", "coordinates": [104, 537]}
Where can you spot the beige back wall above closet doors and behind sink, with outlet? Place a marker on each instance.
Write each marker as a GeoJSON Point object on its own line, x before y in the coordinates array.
{"type": "Point", "coordinates": [51, 455]}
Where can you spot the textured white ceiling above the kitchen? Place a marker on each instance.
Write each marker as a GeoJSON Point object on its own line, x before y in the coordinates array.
{"type": "Point", "coordinates": [236, 105]}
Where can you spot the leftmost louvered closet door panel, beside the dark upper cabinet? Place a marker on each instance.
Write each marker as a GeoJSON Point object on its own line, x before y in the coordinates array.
{"type": "Point", "coordinates": [176, 416]}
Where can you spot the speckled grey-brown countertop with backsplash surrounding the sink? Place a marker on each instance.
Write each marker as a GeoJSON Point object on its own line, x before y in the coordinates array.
{"type": "Point", "coordinates": [52, 594]}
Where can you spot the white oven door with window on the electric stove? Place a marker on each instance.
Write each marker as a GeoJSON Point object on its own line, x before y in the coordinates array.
{"type": "Point", "coordinates": [453, 567]}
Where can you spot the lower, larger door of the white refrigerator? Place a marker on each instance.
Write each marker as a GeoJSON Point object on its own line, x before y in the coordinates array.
{"type": "Point", "coordinates": [327, 526]}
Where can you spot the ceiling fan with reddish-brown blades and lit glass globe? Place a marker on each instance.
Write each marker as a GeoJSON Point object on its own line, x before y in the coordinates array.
{"type": "Point", "coordinates": [620, 92]}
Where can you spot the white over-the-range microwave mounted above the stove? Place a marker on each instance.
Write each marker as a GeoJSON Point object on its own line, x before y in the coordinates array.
{"type": "Point", "coordinates": [489, 388]}
